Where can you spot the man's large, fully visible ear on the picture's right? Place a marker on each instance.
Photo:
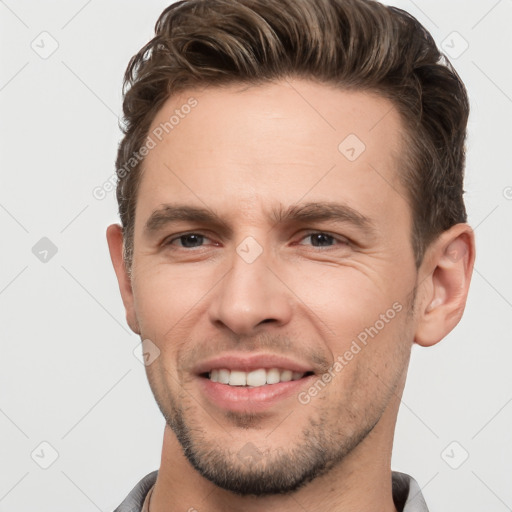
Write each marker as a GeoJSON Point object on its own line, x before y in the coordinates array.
{"type": "Point", "coordinates": [444, 278]}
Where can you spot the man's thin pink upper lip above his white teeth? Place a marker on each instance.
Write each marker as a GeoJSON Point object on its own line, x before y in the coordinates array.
{"type": "Point", "coordinates": [247, 363]}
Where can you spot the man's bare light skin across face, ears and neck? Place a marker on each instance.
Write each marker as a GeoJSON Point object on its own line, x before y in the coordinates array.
{"type": "Point", "coordinates": [241, 152]}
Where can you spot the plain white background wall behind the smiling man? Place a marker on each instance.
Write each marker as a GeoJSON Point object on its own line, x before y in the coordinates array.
{"type": "Point", "coordinates": [68, 375]}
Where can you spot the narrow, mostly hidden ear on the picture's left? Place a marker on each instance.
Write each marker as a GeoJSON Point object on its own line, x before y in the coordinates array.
{"type": "Point", "coordinates": [115, 246]}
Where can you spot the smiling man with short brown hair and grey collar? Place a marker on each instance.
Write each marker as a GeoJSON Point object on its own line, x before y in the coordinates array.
{"type": "Point", "coordinates": [290, 191]}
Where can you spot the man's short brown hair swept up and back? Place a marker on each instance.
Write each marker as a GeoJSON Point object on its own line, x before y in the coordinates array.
{"type": "Point", "coordinates": [353, 44]}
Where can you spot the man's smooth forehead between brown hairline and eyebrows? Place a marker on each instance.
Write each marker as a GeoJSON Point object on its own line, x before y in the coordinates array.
{"type": "Point", "coordinates": [240, 145]}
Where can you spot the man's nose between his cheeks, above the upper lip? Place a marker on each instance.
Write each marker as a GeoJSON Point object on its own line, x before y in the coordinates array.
{"type": "Point", "coordinates": [249, 295]}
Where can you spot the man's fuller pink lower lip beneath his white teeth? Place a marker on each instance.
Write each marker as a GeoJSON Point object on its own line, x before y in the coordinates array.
{"type": "Point", "coordinates": [239, 398]}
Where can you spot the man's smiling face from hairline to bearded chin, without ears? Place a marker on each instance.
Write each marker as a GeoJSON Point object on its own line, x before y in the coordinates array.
{"type": "Point", "coordinates": [309, 260]}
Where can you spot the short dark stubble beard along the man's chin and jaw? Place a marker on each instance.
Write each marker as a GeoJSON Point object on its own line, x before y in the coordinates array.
{"type": "Point", "coordinates": [256, 471]}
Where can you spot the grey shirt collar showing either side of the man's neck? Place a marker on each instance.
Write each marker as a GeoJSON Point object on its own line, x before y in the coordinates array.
{"type": "Point", "coordinates": [406, 494]}
